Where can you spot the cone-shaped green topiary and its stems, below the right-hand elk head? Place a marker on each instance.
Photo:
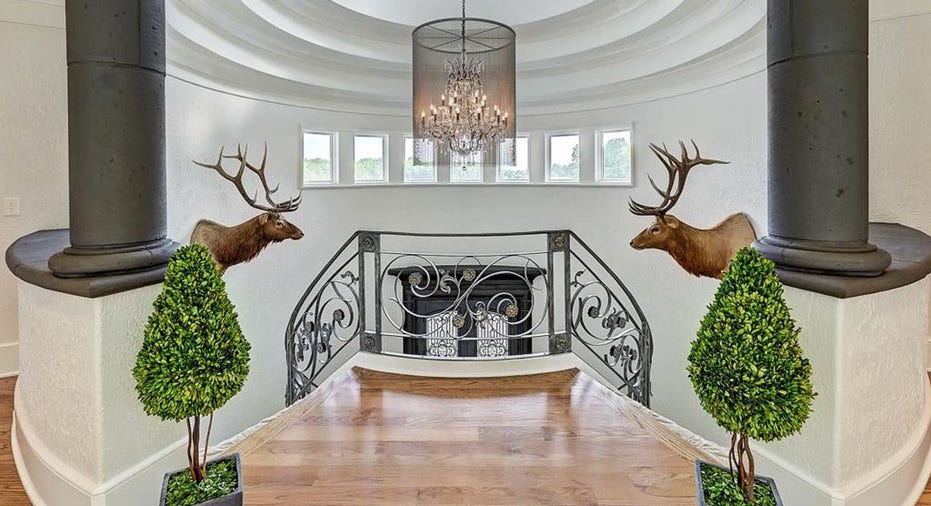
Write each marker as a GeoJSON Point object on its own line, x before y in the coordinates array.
{"type": "Point", "coordinates": [746, 364]}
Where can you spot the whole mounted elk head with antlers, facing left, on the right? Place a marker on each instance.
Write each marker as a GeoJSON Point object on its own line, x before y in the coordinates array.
{"type": "Point", "coordinates": [700, 252]}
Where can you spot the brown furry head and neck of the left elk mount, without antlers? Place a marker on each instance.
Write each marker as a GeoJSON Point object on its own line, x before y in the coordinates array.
{"type": "Point", "coordinates": [241, 243]}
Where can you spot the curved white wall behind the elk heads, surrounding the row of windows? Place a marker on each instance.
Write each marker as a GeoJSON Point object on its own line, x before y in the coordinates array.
{"type": "Point", "coordinates": [200, 121]}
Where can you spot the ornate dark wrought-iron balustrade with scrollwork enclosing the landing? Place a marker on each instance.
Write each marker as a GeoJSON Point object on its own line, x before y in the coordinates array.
{"type": "Point", "coordinates": [468, 297]}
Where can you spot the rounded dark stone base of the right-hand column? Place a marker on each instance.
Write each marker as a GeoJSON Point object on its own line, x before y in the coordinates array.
{"type": "Point", "coordinates": [821, 257]}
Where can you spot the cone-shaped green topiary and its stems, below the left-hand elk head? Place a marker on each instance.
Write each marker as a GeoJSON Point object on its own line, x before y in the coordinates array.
{"type": "Point", "coordinates": [194, 357]}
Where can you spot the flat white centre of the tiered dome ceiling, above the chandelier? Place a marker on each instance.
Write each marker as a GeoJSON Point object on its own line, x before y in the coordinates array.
{"type": "Point", "coordinates": [416, 12]}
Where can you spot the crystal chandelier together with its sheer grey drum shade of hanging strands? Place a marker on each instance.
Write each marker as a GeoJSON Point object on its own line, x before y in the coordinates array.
{"type": "Point", "coordinates": [460, 120]}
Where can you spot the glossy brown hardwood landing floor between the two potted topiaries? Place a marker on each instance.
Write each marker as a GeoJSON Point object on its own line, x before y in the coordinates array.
{"type": "Point", "coordinates": [542, 439]}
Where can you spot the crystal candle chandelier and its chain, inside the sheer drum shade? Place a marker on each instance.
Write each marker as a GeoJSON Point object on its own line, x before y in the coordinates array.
{"type": "Point", "coordinates": [462, 122]}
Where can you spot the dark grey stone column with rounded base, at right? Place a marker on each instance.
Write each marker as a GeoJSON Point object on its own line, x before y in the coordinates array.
{"type": "Point", "coordinates": [819, 138]}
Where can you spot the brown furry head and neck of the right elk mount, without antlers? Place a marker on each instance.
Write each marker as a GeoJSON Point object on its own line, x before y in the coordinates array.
{"type": "Point", "coordinates": [702, 252]}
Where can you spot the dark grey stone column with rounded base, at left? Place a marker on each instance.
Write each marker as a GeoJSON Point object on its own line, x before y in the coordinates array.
{"type": "Point", "coordinates": [116, 138]}
